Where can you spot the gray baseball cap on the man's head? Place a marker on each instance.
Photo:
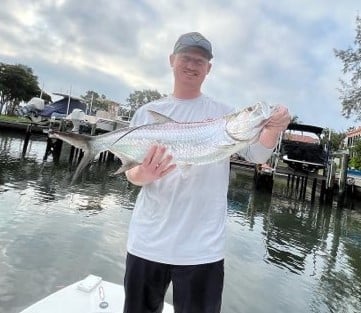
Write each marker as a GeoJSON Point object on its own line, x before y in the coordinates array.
{"type": "Point", "coordinates": [193, 39]}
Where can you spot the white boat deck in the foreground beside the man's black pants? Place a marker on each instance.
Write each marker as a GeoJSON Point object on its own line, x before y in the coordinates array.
{"type": "Point", "coordinates": [90, 295]}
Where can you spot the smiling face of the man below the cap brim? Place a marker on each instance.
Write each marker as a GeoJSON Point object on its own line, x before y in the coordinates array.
{"type": "Point", "coordinates": [190, 67]}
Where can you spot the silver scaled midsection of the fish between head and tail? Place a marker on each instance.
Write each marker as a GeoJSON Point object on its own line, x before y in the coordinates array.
{"type": "Point", "coordinates": [188, 143]}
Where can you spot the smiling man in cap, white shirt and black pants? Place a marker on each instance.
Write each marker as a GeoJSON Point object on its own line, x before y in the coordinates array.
{"type": "Point", "coordinates": [177, 231]}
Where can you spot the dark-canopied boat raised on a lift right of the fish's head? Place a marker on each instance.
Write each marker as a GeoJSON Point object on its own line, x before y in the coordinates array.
{"type": "Point", "coordinates": [302, 150]}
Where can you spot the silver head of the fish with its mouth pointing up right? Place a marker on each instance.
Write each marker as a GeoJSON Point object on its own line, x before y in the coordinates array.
{"type": "Point", "coordinates": [247, 123]}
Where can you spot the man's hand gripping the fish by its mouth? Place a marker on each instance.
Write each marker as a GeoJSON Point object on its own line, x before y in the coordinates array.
{"type": "Point", "coordinates": [277, 123]}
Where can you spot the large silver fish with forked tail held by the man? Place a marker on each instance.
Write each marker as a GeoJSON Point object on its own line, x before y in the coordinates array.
{"type": "Point", "coordinates": [191, 143]}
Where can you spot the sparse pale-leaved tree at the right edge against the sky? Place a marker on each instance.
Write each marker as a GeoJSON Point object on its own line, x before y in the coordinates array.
{"type": "Point", "coordinates": [351, 91]}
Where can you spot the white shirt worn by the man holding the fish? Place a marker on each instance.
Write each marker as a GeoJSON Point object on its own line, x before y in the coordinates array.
{"type": "Point", "coordinates": [180, 219]}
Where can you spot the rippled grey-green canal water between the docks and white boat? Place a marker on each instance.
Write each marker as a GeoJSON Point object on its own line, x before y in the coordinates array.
{"type": "Point", "coordinates": [283, 255]}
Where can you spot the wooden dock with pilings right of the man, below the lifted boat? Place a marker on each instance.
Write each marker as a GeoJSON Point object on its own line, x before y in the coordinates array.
{"type": "Point", "coordinates": [326, 185]}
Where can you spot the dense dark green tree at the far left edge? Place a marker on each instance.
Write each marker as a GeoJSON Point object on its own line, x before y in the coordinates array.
{"type": "Point", "coordinates": [17, 83]}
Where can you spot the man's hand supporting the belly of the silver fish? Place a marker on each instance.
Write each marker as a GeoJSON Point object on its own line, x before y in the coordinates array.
{"type": "Point", "coordinates": [156, 164]}
